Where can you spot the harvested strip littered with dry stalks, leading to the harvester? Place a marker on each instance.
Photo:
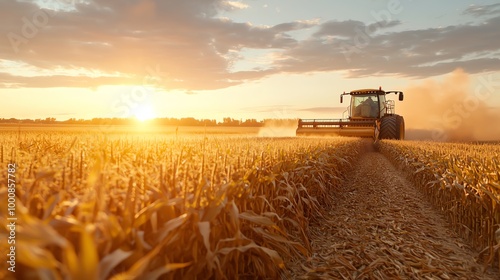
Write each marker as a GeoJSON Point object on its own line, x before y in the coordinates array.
{"type": "Point", "coordinates": [381, 227]}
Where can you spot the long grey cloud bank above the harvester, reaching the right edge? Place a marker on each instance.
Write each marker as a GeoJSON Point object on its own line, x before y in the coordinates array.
{"type": "Point", "coordinates": [413, 53]}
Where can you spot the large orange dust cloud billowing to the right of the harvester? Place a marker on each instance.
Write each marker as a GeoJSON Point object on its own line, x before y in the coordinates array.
{"type": "Point", "coordinates": [450, 109]}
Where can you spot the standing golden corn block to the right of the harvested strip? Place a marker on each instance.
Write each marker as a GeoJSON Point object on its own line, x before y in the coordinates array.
{"type": "Point", "coordinates": [463, 181]}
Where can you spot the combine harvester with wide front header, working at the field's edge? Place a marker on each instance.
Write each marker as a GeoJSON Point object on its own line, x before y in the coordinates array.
{"type": "Point", "coordinates": [370, 115]}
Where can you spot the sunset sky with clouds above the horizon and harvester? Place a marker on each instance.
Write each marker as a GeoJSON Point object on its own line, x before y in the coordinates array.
{"type": "Point", "coordinates": [243, 59]}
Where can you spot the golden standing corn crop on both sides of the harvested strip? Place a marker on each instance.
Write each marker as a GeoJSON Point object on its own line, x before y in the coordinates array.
{"type": "Point", "coordinates": [147, 206]}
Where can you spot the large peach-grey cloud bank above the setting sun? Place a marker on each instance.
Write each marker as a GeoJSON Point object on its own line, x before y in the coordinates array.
{"type": "Point", "coordinates": [185, 38]}
